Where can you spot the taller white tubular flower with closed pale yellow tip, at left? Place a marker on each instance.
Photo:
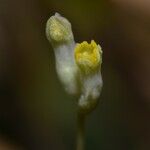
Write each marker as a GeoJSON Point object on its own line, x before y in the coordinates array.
{"type": "Point", "coordinates": [59, 33]}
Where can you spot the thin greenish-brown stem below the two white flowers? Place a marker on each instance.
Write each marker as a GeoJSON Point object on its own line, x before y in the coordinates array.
{"type": "Point", "coordinates": [80, 131]}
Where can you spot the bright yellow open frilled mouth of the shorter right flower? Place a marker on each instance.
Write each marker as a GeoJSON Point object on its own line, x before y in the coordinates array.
{"type": "Point", "coordinates": [88, 56]}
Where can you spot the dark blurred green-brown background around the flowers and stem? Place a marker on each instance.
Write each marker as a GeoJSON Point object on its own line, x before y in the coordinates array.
{"type": "Point", "coordinates": [36, 113]}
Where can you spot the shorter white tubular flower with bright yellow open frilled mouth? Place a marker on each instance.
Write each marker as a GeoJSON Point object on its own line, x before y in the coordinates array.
{"type": "Point", "coordinates": [88, 58]}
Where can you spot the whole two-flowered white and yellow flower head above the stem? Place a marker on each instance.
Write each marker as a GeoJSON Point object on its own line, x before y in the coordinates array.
{"type": "Point", "coordinates": [78, 65]}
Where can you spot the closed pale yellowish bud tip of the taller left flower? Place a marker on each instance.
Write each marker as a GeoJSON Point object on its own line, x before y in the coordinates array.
{"type": "Point", "coordinates": [58, 29]}
